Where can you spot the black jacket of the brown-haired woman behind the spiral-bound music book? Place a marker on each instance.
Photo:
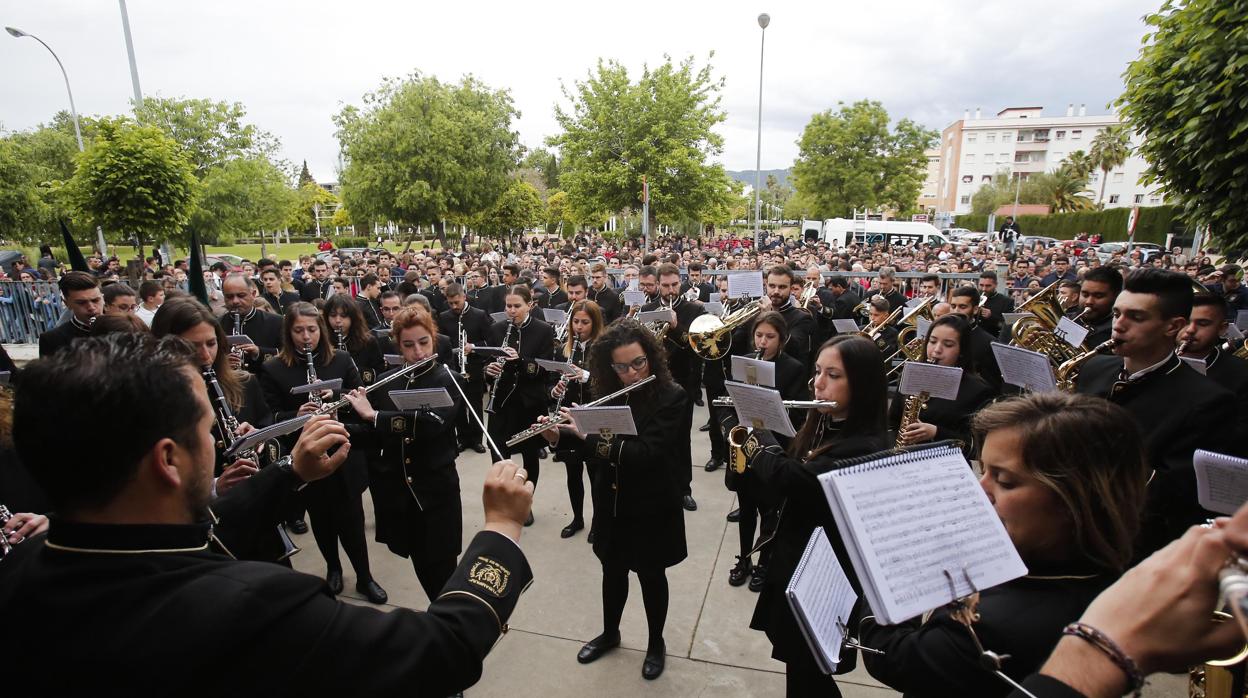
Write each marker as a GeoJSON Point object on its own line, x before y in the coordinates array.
{"type": "Point", "coordinates": [1023, 619]}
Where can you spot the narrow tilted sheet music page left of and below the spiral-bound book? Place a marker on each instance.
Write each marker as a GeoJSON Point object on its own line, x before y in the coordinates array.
{"type": "Point", "coordinates": [821, 596]}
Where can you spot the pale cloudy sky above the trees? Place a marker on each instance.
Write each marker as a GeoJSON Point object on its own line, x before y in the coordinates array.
{"type": "Point", "coordinates": [294, 64]}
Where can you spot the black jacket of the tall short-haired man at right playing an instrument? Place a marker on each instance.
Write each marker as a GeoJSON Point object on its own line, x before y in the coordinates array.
{"type": "Point", "coordinates": [1179, 411]}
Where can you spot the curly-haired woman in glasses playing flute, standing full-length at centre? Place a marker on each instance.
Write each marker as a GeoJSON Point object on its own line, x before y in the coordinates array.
{"type": "Point", "coordinates": [638, 483]}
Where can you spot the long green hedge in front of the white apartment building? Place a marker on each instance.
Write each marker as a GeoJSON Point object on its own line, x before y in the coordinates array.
{"type": "Point", "coordinates": [1154, 225]}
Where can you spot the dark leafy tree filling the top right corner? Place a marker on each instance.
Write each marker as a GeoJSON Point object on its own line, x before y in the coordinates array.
{"type": "Point", "coordinates": [1185, 96]}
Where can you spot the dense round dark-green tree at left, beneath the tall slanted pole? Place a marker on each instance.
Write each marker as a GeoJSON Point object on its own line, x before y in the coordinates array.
{"type": "Point", "coordinates": [137, 182]}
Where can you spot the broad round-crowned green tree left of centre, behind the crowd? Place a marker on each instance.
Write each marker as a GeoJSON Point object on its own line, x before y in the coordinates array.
{"type": "Point", "coordinates": [421, 152]}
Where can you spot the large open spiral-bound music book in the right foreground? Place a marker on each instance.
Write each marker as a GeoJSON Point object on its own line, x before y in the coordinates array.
{"type": "Point", "coordinates": [919, 529]}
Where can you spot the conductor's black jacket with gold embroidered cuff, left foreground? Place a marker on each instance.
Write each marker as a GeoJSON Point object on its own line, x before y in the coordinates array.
{"type": "Point", "coordinates": [175, 614]}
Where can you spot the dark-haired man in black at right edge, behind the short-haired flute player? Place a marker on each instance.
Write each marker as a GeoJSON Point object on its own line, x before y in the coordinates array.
{"type": "Point", "coordinates": [1202, 340]}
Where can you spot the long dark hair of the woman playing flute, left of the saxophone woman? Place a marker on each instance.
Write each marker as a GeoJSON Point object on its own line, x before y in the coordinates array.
{"type": "Point", "coordinates": [869, 399]}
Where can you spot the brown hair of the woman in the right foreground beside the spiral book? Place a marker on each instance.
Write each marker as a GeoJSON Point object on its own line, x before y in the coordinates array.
{"type": "Point", "coordinates": [1088, 451]}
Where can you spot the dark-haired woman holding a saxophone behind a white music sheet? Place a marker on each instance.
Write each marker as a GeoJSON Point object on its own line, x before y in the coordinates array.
{"type": "Point", "coordinates": [949, 344]}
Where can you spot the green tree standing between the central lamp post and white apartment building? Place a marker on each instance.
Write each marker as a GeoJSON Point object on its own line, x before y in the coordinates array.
{"type": "Point", "coordinates": [849, 159]}
